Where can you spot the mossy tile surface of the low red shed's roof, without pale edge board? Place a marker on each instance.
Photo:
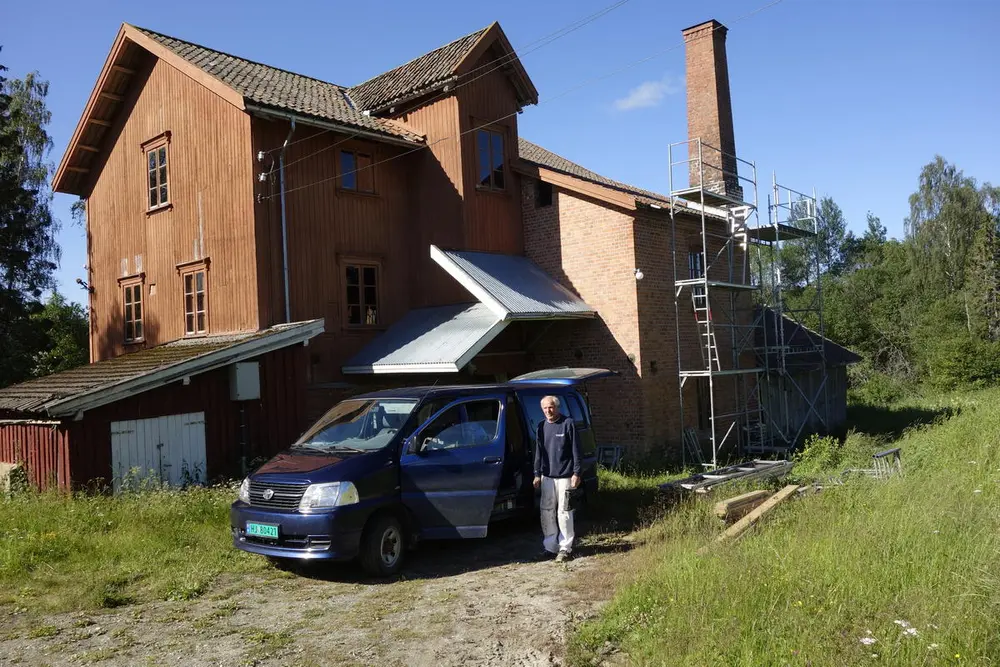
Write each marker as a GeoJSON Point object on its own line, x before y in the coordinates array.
{"type": "Point", "coordinates": [41, 394]}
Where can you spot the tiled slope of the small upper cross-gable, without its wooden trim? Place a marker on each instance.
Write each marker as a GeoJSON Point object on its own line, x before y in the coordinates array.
{"type": "Point", "coordinates": [415, 76]}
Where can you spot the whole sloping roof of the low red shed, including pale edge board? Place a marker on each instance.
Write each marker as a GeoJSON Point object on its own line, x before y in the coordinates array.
{"type": "Point", "coordinates": [90, 386]}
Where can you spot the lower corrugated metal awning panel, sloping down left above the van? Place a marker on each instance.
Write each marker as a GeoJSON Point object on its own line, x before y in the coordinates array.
{"type": "Point", "coordinates": [441, 339]}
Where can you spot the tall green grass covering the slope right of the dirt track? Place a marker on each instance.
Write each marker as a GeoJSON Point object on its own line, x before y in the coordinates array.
{"type": "Point", "coordinates": [896, 572]}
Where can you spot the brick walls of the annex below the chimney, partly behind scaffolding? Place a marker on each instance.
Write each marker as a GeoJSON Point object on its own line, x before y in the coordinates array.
{"type": "Point", "coordinates": [594, 249]}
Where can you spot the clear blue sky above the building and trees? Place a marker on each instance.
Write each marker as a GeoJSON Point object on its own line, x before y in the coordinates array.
{"type": "Point", "coordinates": [850, 97]}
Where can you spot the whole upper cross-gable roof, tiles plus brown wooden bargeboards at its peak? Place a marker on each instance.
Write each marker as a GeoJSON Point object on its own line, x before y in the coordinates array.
{"type": "Point", "coordinates": [441, 66]}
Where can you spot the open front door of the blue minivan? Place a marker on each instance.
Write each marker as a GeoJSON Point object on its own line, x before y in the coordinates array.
{"type": "Point", "coordinates": [450, 467]}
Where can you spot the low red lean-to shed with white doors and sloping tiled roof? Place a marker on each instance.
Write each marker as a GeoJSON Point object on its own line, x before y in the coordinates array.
{"type": "Point", "coordinates": [190, 410]}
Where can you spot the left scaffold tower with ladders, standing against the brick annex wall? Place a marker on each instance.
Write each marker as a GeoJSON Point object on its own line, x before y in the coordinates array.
{"type": "Point", "coordinates": [720, 289]}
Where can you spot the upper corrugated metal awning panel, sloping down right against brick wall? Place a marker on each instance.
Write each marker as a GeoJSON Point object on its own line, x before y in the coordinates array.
{"type": "Point", "coordinates": [512, 287]}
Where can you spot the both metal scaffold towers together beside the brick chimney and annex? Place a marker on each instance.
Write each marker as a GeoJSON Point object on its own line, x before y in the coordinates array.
{"type": "Point", "coordinates": [761, 376]}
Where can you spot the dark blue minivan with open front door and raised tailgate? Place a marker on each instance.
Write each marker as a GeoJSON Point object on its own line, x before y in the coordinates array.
{"type": "Point", "coordinates": [381, 471]}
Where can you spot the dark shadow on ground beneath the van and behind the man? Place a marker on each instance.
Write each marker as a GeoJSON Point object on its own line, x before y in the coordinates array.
{"type": "Point", "coordinates": [603, 529]}
